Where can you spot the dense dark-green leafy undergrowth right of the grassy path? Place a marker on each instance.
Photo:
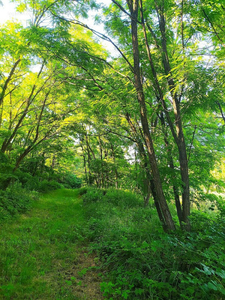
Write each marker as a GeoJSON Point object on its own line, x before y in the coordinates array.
{"type": "Point", "coordinates": [145, 263]}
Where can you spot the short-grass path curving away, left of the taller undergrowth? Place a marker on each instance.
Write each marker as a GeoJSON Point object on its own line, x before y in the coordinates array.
{"type": "Point", "coordinates": [41, 256]}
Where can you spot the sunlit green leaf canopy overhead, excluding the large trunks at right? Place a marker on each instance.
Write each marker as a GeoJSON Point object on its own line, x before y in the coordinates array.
{"type": "Point", "coordinates": [83, 93]}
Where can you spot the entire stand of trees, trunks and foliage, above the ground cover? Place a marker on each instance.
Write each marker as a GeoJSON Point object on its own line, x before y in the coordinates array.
{"type": "Point", "coordinates": [150, 116]}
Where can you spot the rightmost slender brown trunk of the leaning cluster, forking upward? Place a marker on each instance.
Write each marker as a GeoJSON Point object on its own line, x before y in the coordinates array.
{"type": "Point", "coordinates": [178, 133]}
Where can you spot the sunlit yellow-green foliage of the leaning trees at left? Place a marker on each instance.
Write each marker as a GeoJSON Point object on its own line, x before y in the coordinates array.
{"type": "Point", "coordinates": [36, 97]}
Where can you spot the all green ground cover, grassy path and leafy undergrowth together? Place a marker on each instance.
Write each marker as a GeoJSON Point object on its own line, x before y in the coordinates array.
{"type": "Point", "coordinates": [41, 250]}
